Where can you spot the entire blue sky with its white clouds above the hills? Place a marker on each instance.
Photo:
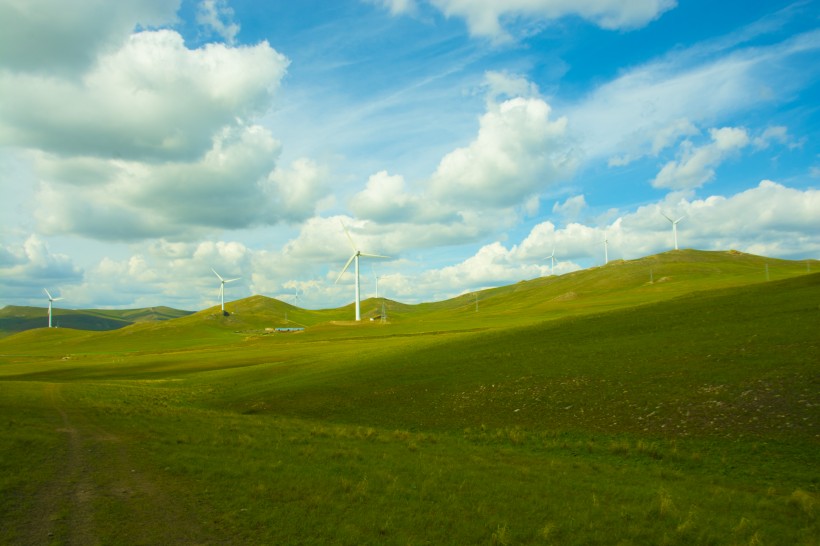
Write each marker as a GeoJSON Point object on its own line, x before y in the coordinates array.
{"type": "Point", "coordinates": [143, 143]}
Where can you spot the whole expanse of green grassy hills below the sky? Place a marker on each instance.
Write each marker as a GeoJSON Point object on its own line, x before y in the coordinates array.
{"type": "Point", "coordinates": [590, 408]}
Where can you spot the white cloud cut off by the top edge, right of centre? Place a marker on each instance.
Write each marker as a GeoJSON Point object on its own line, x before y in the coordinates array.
{"type": "Point", "coordinates": [487, 18]}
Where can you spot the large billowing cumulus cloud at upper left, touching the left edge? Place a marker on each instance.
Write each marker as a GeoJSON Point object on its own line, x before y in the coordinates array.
{"type": "Point", "coordinates": [151, 99]}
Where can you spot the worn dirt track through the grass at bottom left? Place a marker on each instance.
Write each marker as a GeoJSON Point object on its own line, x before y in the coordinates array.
{"type": "Point", "coordinates": [102, 493]}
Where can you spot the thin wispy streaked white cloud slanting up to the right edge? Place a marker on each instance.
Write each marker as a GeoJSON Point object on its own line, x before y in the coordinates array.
{"type": "Point", "coordinates": [648, 108]}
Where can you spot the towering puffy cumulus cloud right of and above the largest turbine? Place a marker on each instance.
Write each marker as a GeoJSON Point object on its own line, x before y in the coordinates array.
{"type": "Point", "coordinates": [517, 154]}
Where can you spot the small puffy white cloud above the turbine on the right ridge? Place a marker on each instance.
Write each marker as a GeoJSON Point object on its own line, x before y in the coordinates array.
{"type": "Point", "coordinates": [696, 165]}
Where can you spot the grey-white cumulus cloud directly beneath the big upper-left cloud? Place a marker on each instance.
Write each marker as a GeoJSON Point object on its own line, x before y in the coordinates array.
{"type": "Point", "coordinates": [236, 184]}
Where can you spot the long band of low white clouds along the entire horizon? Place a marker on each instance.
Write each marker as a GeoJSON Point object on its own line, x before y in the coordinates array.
{"type": "Point", "coordinates": [769, 219]}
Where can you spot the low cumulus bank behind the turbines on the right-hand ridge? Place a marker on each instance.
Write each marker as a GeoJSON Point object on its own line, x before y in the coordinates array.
{"type": "Point", "coordinates": [769, 219]}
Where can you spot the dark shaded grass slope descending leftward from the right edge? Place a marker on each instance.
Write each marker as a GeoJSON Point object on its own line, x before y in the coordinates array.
{"type": "Point", "coordinates": [729, 362]}
